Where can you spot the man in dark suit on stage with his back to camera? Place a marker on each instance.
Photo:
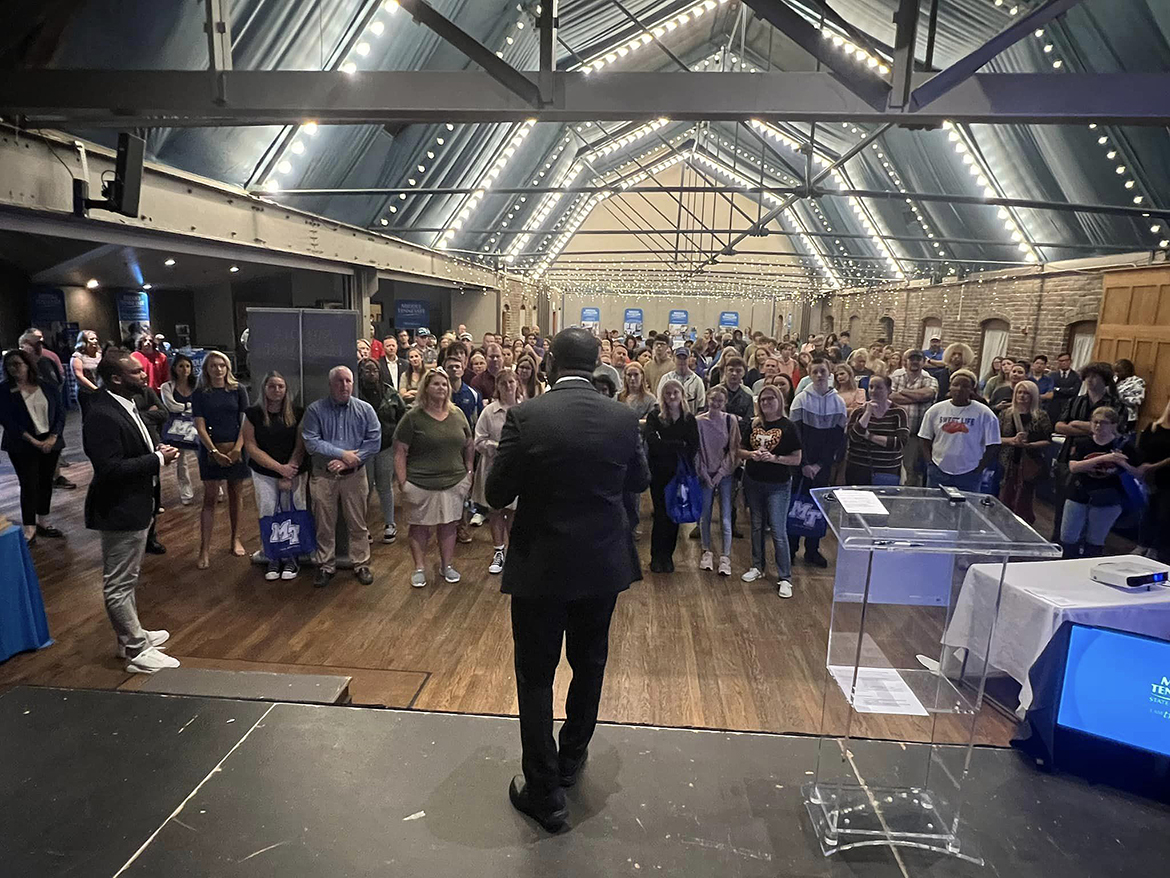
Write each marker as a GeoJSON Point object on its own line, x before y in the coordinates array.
{"type": "Point", "coordinates": [569, 456]}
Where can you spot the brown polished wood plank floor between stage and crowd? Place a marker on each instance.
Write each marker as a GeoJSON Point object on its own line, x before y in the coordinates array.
{"type": "Point", "coordinates": [689, 649]}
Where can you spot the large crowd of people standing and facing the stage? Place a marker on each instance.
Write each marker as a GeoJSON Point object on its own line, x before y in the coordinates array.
{"type": "Point", "coordinates": [418, 420]}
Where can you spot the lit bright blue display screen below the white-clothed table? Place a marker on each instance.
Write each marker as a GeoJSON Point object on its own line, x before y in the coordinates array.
{"type": "Point", "coordinates": [1118, 688]}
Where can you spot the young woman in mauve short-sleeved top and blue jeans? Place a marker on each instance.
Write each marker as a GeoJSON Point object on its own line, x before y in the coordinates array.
{"type": "Point", "coordinates": [719, 445]}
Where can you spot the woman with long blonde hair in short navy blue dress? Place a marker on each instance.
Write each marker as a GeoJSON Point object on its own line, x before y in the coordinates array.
{"type": "Point", "coordinates": [218, 407]}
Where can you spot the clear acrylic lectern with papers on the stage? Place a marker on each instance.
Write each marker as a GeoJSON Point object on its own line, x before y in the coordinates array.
{"type": "Point", "coordinates": [899, 711]}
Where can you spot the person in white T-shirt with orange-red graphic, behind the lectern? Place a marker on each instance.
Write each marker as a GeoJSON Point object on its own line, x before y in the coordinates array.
{"type": "Point", "coordinates": [960, 437]}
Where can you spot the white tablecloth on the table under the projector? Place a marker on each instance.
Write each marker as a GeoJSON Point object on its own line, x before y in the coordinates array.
{"type": "Point", "coordinates": [1040, 596]}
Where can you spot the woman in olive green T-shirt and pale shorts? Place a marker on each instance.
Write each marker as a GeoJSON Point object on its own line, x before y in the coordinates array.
{"type": "Point", "coordinates": [433, 462]}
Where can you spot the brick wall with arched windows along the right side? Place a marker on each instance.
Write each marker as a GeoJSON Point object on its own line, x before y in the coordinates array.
{"type": "Point", "coordinates": [1038, 310]}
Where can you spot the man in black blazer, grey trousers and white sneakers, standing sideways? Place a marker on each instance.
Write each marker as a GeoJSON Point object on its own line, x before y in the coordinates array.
{"type": "Point", "coordinates": [121, 502]}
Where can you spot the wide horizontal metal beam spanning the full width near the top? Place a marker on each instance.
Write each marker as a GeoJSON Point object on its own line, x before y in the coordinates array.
{"type": "Point", "coordinates": [177, 99]}
